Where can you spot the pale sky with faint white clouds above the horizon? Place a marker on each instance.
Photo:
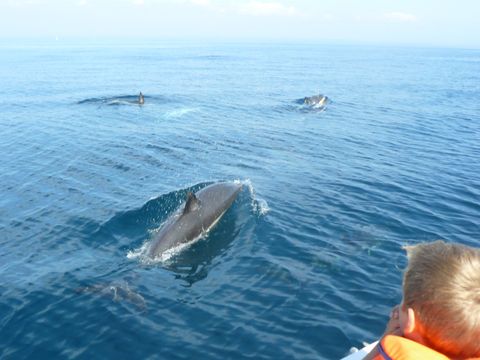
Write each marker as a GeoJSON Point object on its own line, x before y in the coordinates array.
{"type": "Point", "coordinates": [445, 23]}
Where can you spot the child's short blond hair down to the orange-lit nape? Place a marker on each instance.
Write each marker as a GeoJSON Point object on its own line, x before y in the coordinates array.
{"type": "Point", "coordinates": [442, 285]}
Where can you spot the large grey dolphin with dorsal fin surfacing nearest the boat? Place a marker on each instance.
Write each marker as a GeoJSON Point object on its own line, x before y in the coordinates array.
{"type": "Point", "coordinates": [201, 211]}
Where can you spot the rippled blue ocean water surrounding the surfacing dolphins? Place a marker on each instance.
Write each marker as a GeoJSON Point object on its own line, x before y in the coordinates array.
{"type": "Point", "coordinates": [306, 263]}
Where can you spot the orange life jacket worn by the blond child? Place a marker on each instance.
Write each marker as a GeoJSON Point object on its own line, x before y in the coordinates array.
{"type": "Point", "coordinates": [399, 348]}
